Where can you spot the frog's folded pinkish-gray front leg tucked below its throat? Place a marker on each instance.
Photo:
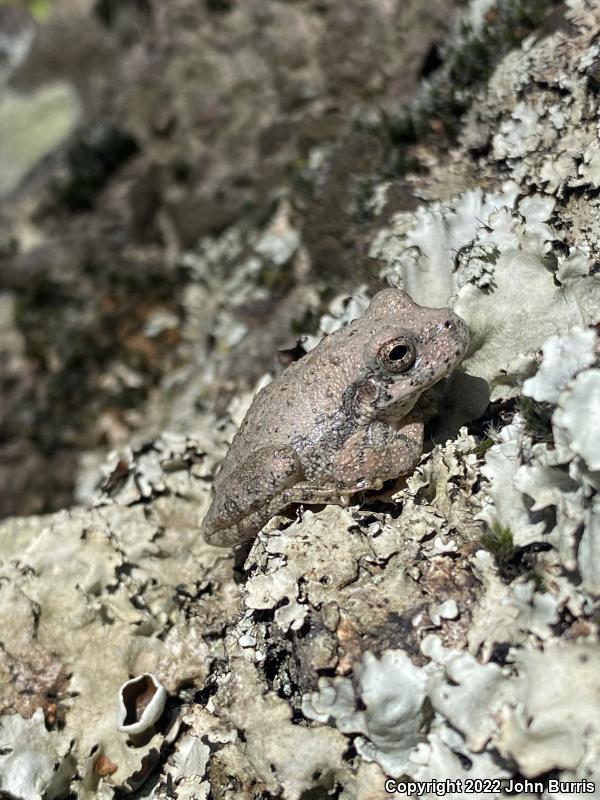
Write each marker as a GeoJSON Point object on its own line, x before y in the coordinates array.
{"type": "Point", "coordinates": [377, 453]}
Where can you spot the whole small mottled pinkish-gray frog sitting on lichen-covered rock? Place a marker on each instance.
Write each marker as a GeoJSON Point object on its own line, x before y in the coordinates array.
{"type": "Point", "coordinates": [339, 420]}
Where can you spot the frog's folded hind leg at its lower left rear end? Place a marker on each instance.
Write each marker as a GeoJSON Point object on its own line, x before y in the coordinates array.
{"type": "Point", "coordinates": [252, 492]}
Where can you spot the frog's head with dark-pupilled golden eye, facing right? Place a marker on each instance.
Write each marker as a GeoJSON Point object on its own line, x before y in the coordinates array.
{"type": "Point", "coordinates": [409, 348]}
